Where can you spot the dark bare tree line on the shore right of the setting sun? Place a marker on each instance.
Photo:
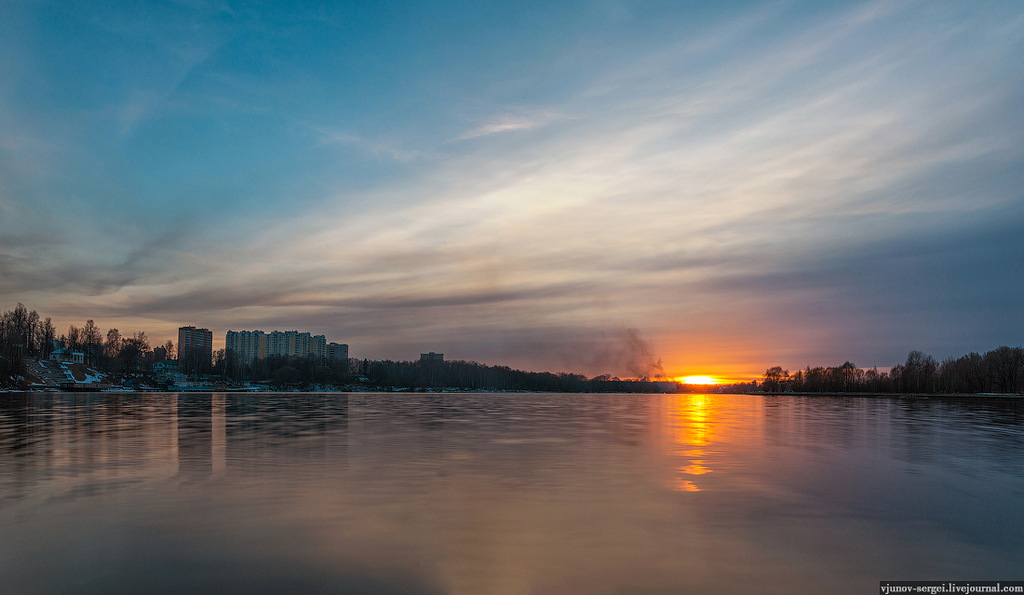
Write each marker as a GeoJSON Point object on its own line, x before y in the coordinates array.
{"type": "Point", "coordinates": [999, 371]}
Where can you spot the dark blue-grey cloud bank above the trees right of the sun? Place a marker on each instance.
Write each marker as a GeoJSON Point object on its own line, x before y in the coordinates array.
{"type": "Point", "coordinates": [944, 289]}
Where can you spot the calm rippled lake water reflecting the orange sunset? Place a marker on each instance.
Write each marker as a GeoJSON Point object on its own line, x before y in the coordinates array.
{"type": "Point", "coordinates": [392, 493]}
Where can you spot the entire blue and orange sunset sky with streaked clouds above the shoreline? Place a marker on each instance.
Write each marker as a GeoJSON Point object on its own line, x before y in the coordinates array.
{"type": "Point", "coordinates": [604, 188]}
